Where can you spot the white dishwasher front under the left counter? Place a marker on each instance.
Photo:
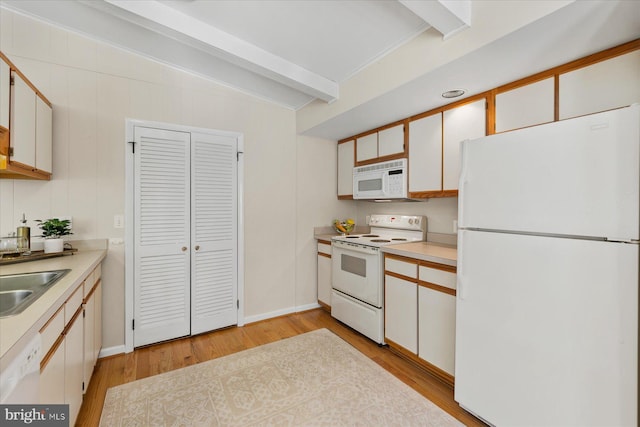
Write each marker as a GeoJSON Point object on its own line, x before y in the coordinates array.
{"type": "Point", "coordinates": [20, 380]}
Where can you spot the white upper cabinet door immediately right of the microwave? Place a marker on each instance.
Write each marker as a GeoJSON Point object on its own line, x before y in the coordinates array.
{"type": "Point", "coordinates": [425, 154]}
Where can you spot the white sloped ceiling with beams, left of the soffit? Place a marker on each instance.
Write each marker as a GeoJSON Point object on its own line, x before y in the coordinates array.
{"type": "Point", "coordinates": [288, 52]}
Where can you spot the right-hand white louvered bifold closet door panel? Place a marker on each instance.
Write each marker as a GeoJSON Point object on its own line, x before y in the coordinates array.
{"type": "Point", "coordinates": [214, 219]}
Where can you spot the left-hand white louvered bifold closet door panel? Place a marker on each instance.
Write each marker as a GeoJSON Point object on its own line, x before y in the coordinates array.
{"type": "Point", "coordinates": [162, 235]}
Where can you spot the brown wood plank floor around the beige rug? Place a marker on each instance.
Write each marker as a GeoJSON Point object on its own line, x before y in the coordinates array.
{"type": "Point", "coordinates": [176, 354]}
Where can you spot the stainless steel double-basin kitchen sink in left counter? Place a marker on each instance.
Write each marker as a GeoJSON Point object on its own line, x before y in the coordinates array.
{"type": "Point", "coordinates": [19, 291]}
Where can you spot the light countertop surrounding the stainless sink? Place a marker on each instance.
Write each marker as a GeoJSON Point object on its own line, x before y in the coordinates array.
{"type": "Point", "coordinates": [16, 331]}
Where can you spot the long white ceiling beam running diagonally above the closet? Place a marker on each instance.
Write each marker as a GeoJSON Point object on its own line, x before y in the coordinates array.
{"type": "Point", "coordinates": [231, 48]}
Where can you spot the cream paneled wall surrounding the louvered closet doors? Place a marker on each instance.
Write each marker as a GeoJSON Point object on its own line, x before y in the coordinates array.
{"type": "Point", "coordinates": [94, 88]}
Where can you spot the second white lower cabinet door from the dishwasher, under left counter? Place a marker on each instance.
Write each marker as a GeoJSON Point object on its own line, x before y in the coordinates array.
{"type": "Point", "coordinates": [74, 372]}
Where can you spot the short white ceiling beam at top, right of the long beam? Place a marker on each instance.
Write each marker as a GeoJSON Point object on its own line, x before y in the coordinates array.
{"type": "Point", "coordinates": [447, 16]}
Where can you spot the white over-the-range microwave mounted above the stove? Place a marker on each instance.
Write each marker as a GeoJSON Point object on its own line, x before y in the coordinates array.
{"type": "Point", "coordinates": [385, 180]}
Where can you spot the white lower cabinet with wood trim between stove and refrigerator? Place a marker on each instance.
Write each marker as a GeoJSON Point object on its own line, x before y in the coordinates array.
{"type": "Point", "coordinates": [420, 312]}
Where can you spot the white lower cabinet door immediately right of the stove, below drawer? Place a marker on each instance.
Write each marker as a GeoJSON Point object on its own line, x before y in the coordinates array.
{"type": "Point", "coordinates": [401, 312]}
